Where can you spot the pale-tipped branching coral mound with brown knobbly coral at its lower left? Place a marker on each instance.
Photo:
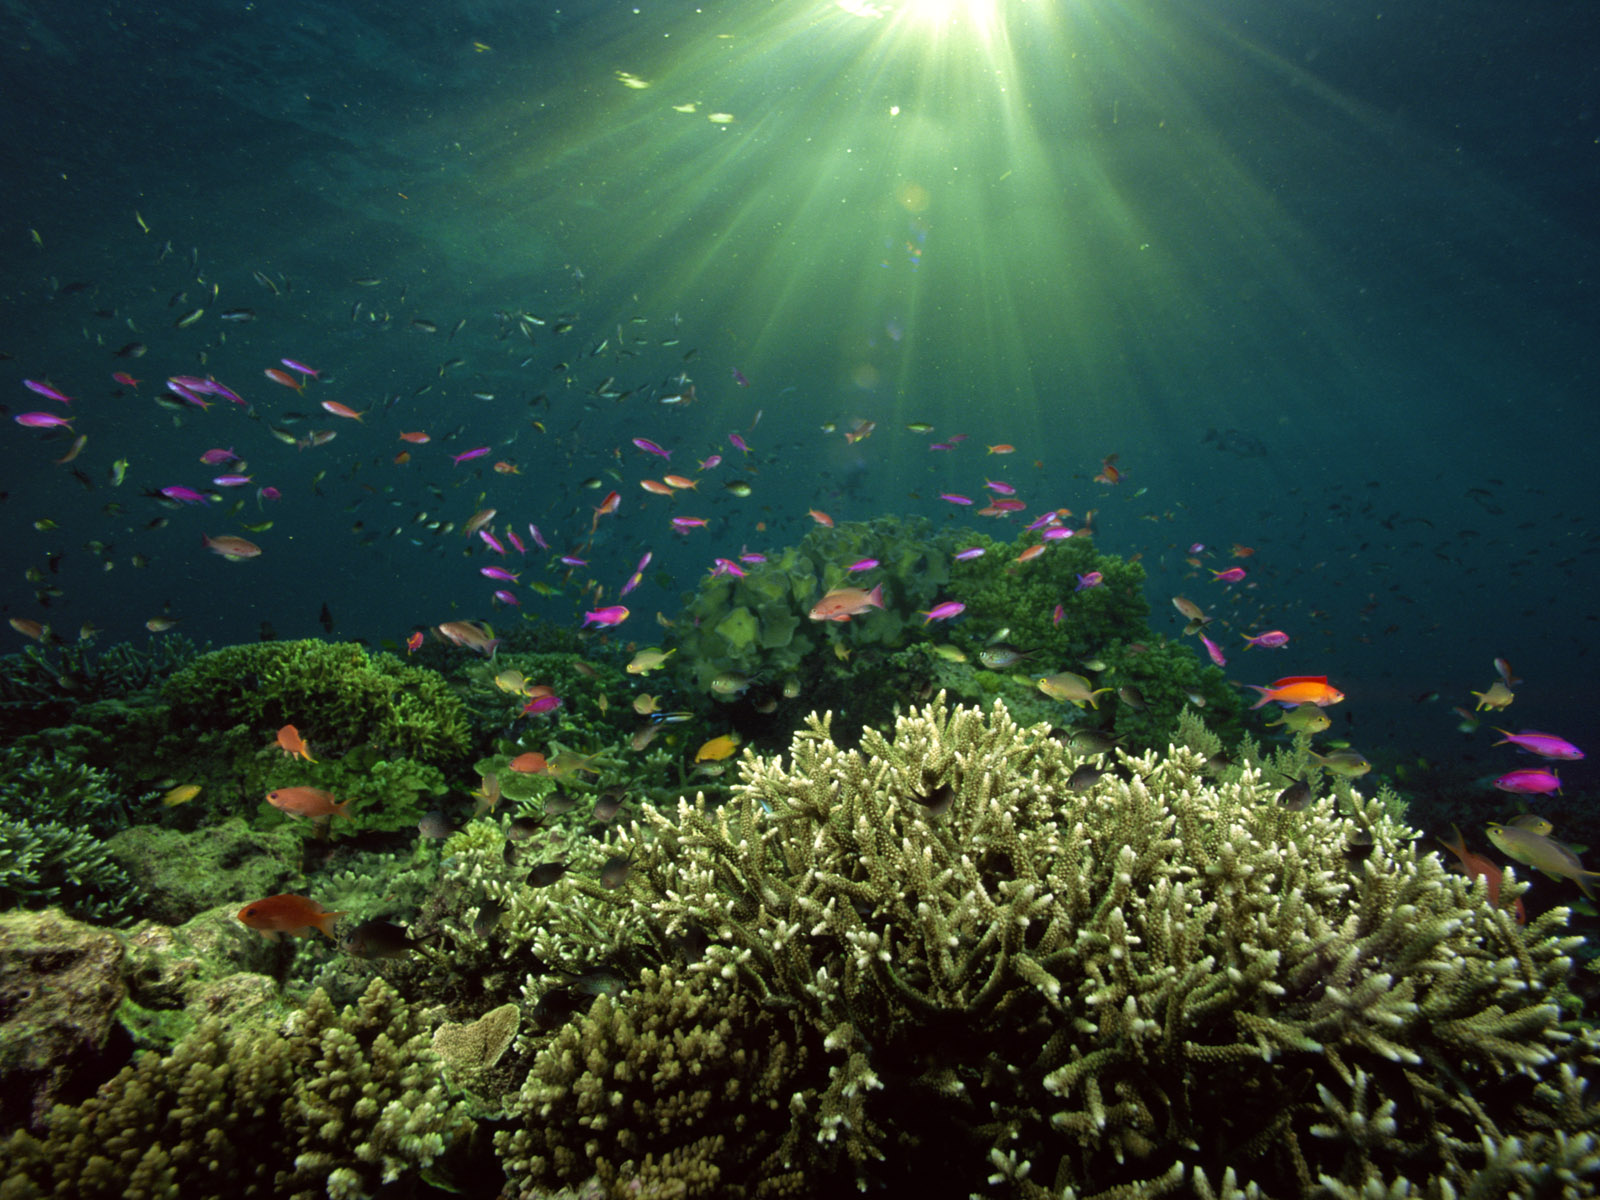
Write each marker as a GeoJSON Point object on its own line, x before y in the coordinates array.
{"type": "Point", "coordinates": [962, 972]}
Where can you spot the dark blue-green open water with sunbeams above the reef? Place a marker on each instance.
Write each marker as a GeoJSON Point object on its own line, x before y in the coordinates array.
{"type": "Point", "coordinates": [1356, 242]}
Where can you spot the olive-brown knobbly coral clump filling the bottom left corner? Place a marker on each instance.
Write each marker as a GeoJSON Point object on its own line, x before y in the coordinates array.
{"type": "Point", "coordinates": [335, 1106]}
